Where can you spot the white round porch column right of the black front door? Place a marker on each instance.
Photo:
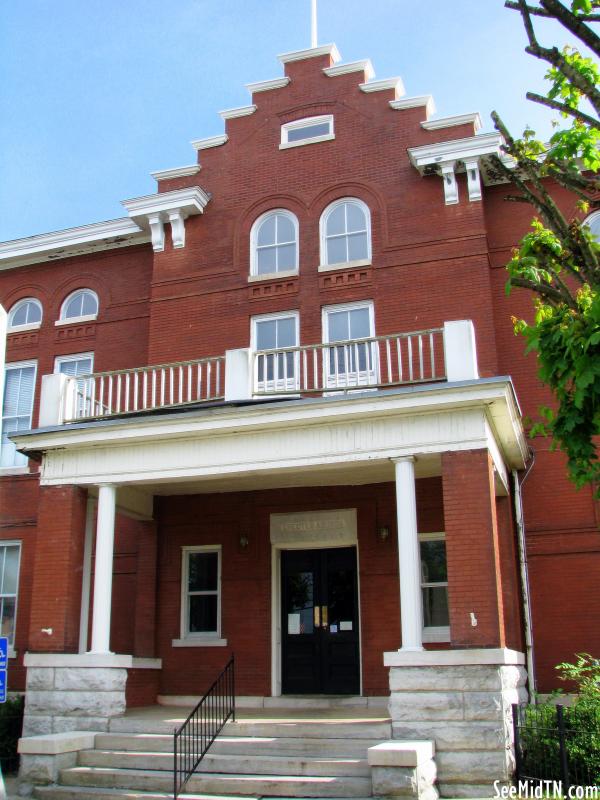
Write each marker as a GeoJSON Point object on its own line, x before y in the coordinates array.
{"type": "Point", "coordinates": [411, 610]}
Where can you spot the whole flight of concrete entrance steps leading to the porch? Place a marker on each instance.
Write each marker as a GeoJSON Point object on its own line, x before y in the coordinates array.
{"type": "Point", "coordinates": [279, 753]}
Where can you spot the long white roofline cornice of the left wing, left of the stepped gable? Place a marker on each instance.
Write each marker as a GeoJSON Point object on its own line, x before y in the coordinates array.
{"type": "Point", "coordinates": [69, 242]}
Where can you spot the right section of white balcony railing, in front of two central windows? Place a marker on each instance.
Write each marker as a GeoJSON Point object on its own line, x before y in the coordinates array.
{"type": "Point", "coordinates": [379, 361]}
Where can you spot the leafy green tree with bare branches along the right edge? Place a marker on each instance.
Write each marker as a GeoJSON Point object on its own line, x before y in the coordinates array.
{"type": "Point", "coordinates": [559, 259]}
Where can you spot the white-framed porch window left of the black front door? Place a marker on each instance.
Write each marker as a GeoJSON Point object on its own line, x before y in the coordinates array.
{"type": "Point", "coordinates": [201, 592]}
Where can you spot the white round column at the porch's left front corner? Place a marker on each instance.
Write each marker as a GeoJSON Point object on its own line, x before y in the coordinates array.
{"type": "Point", "coordinates": [105, 537]}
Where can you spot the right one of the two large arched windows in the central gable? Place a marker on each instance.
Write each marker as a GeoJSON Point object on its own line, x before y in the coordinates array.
{"type": "Point", "coordinates": [345, 232]}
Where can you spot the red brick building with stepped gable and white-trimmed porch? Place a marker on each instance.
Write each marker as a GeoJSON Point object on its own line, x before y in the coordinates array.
{"type": "Point", "coordinates": [328, 463]}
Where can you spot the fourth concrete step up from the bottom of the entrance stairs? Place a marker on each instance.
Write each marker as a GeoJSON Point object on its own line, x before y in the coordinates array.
{"type": "Point", "coordinates": [241, 745]}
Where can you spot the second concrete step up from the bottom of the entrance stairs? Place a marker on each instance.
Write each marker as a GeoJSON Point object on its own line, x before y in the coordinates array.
{"type": "Point", "coordinates": [220, 784]}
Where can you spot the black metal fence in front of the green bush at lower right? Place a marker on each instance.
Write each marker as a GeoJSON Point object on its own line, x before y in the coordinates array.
{"type": "Point", "coordinates": [557, 743]}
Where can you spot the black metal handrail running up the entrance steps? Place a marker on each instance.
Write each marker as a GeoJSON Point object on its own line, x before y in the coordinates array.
{"type": "Point", "coordinates": [192, 740]}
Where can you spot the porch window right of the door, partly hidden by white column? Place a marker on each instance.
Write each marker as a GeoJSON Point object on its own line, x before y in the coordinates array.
{"type": "Point", "coordinates": [434, 586]}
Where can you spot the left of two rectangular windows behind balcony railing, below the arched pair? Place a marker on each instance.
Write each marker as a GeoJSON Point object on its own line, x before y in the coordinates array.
{"type": "Point", "coordinates": [275, 371]}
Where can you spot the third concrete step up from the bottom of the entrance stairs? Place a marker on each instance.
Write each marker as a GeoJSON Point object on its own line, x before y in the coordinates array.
{"type": "Point", "coordinates": [230, 764]}
